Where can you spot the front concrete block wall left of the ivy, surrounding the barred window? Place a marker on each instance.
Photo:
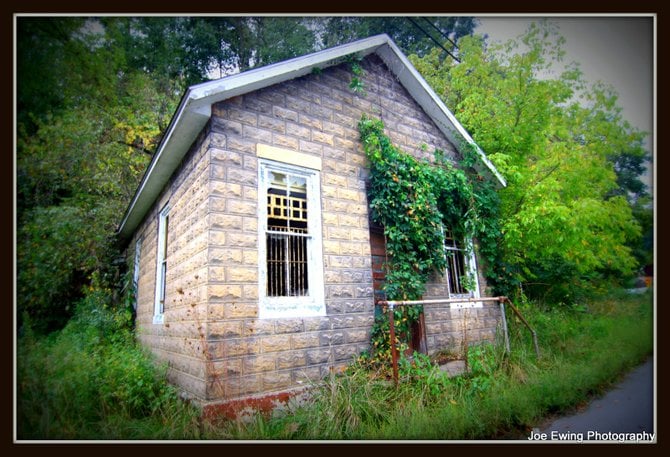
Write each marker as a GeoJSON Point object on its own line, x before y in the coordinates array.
{"type": "Point", "coordinates": [253, 355]}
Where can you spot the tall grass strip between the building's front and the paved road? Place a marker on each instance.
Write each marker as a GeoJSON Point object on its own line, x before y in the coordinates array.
{"type": "Point", "coordinates": [584, 350]}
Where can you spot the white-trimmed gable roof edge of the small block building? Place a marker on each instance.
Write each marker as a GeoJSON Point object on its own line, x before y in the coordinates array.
{"type": "Point", "coordinates": [195, 110]}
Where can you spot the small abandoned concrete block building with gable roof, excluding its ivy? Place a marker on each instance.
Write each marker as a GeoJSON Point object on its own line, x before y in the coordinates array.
{"type": "Point", "coordinates": [255, 262]}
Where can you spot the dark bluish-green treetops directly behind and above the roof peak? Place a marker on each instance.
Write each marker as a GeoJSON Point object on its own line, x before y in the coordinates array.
{"type": "Point", "coordinates": [230, 44]}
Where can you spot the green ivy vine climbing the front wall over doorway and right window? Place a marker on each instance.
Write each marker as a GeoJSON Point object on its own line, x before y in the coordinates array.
{"type": "Point", "coordinates": [415, 201]}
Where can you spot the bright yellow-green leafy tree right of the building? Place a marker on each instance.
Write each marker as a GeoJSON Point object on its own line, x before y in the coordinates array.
{"type": "Point", "coordinates": [566, 216]}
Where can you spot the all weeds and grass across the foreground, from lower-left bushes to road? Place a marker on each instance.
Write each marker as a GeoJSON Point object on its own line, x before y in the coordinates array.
{"type": "Point", "coordinates": [83, 383]}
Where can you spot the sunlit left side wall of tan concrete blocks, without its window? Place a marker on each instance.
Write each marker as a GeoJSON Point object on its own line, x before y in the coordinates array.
{"type": "Point", "coordinates": [179, 341]}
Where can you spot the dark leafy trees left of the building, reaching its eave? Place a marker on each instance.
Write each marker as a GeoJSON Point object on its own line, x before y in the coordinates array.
{"type": "Point", "coordinates": [80, 154]}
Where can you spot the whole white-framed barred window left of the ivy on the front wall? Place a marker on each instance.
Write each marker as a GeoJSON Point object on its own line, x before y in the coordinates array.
{"type": "Point", "coordinates": [290, 263]}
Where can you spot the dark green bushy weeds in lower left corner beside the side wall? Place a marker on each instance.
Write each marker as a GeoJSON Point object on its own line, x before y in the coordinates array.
{"type": "Point", "coordinates": [92, 380]}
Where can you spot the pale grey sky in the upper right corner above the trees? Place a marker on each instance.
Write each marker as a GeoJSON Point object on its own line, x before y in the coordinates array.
{"type": "Point", "coordinates": [615, 49]}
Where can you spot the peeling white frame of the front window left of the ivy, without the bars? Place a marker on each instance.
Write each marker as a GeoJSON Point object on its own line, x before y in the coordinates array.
{"type": "Point", "coordinates": [312, 304]}
